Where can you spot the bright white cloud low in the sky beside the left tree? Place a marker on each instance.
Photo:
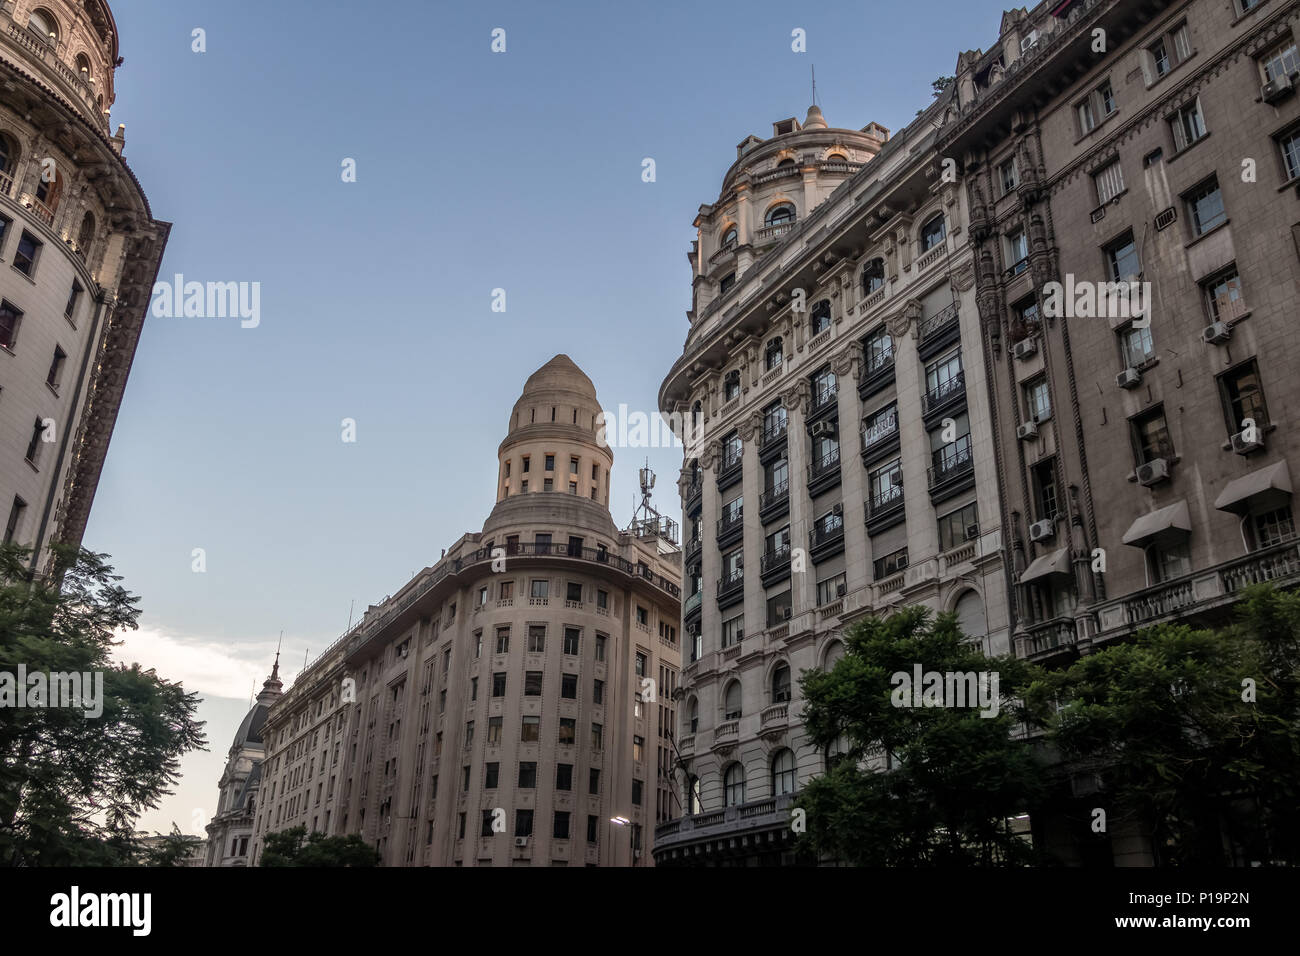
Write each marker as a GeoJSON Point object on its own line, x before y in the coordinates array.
{"type": "Point", "coordinates": [207, 667]}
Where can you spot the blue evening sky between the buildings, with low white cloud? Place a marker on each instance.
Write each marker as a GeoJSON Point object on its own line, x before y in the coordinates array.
{"type": "Point", "coordinates": [476, 171]}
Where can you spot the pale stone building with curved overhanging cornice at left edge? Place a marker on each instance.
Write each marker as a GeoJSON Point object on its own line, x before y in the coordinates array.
{"type": "Point", "coordinates": [85, 250]}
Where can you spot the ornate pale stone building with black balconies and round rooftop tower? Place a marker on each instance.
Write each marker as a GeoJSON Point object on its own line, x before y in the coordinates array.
{"type": "Point", "coordinates": [847, 465]}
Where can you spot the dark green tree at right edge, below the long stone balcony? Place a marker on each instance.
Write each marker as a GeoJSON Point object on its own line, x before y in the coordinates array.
{"type": "Point", "coordinates": [1197, 732]}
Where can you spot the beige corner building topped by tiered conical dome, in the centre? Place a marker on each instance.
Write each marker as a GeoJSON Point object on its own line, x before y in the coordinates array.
{"type": "Point", "coordinates": [523, 682]}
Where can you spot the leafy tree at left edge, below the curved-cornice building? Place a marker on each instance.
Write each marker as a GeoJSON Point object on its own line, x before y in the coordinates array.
{"type": "Point", "coordinates": [72, 785]}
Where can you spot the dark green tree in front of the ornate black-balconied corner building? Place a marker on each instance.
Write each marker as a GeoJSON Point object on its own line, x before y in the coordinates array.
{"type": "Point", "coordinates": [930, 786]}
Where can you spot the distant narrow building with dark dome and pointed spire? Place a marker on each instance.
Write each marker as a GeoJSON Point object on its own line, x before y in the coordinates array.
{"type": "Point", "coordinates": [232, 828]}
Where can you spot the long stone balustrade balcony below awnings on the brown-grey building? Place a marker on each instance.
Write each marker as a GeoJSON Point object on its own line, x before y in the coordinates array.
{"type": "Point", "coordinates": [1202, 592]}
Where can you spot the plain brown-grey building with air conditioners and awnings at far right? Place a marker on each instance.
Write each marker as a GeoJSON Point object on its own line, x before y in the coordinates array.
{"type": "Point", "coordinates": [1173, 158]}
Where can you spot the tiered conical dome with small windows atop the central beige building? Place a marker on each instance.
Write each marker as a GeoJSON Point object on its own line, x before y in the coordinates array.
{"type": "Point", "coordinates": [553, 439]}
